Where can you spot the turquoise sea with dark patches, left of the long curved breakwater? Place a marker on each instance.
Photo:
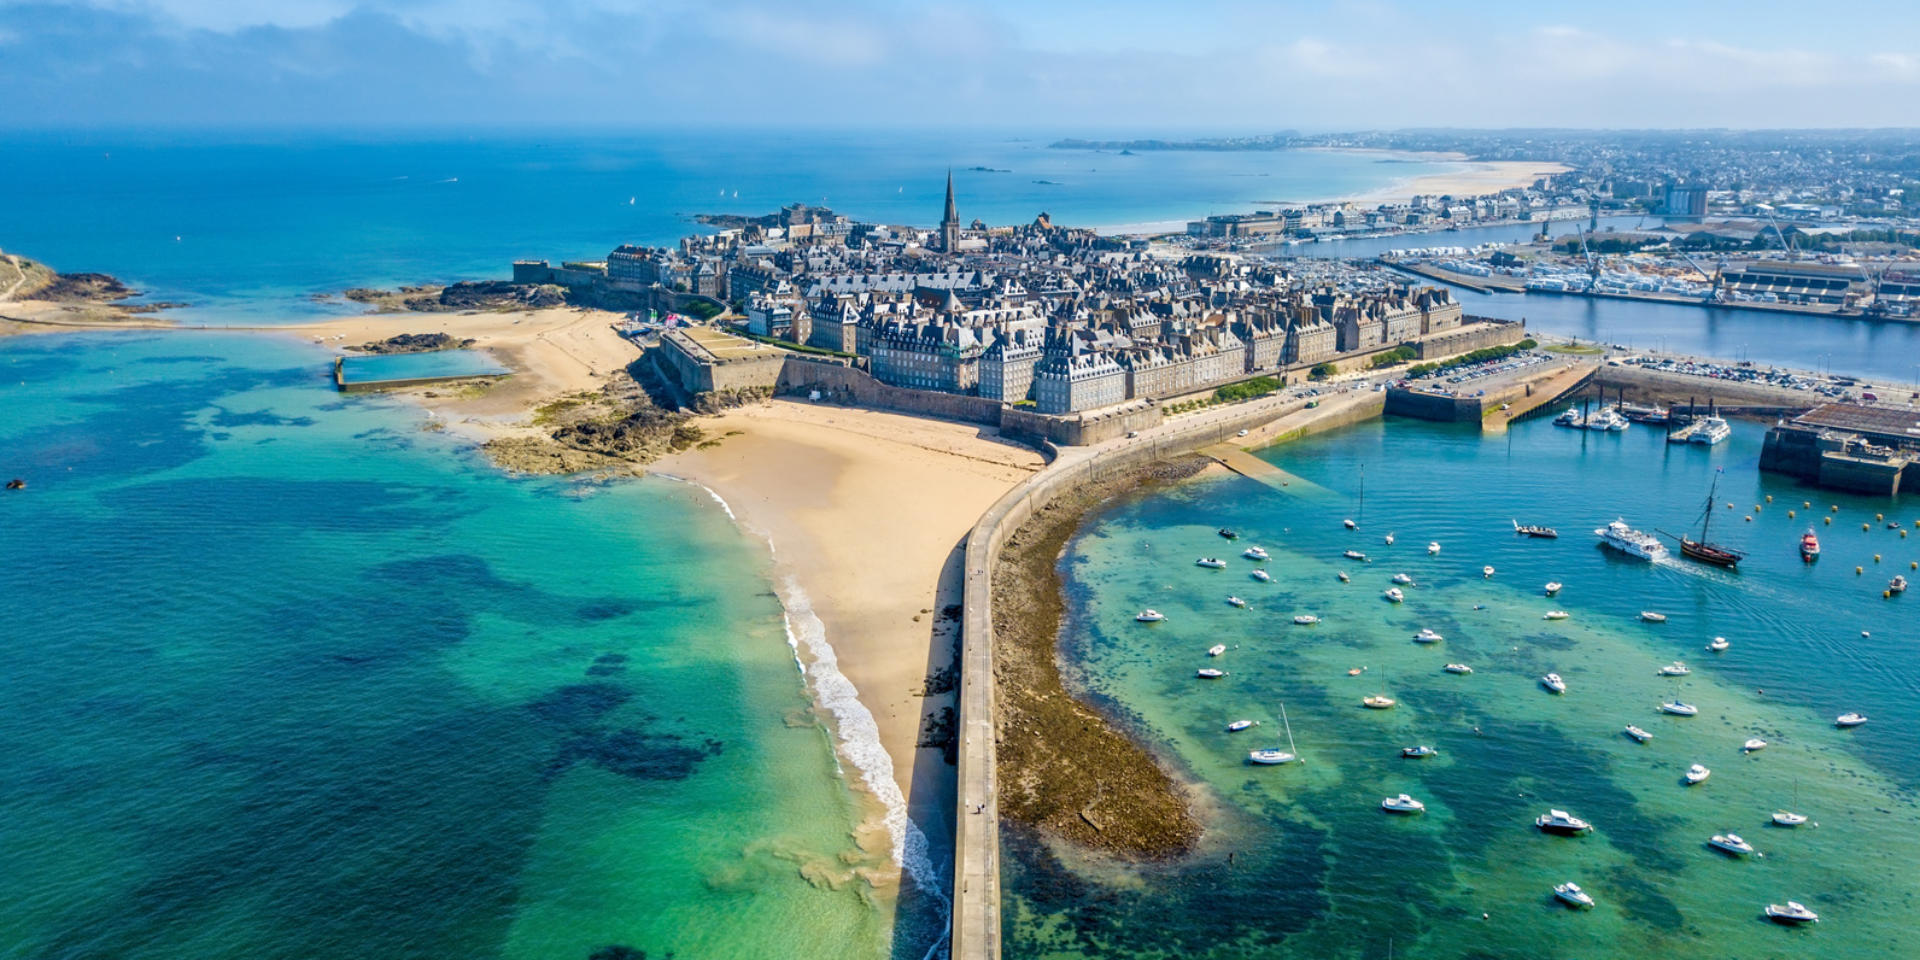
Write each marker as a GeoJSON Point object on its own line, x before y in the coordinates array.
{"type": "Point", "coordinates": [289, 677]}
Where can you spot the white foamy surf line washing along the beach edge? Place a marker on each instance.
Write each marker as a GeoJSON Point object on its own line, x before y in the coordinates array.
{"type": "Point", "coordinates": [855, 731]}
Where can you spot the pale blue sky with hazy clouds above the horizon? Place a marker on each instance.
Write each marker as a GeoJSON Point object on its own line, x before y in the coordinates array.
{"type": "Point", "coordinates": [1072, 68]}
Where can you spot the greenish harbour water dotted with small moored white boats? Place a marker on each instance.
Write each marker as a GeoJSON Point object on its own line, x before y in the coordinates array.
{"type": "Point", "coordinates": [1301, 861]}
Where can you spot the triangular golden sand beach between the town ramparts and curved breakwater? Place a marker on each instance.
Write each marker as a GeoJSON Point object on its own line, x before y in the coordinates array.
{"type": "Point", "coordinates": [867, 514]}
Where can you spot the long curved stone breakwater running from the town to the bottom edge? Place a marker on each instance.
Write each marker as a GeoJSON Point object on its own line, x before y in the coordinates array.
{"type": "Point", "coordinates": [976, 903]}
